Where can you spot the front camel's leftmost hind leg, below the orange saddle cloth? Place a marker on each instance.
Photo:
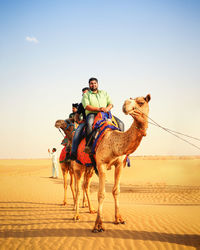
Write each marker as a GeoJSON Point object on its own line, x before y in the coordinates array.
{"type": "Point", "coordinates": [78, 173]}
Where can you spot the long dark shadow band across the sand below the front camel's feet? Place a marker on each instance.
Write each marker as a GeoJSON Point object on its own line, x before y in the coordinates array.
{"type": "Point", "coordinates": [192, 240]}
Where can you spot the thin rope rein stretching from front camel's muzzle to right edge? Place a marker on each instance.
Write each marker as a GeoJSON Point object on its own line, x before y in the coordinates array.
{"type": "Point", "coordinates": [172, 132]}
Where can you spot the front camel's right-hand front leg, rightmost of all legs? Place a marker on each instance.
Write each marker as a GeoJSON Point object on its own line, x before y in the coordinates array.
{"type": "Point", "coordinates": [116, 192]}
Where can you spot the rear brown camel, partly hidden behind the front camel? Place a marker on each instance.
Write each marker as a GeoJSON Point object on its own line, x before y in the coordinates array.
{"type": "Point", "coordinates": [68, 127]}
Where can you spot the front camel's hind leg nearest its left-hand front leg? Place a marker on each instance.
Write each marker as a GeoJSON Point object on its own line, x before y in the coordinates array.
{"type": "Point", "coordinates": [86, 187]}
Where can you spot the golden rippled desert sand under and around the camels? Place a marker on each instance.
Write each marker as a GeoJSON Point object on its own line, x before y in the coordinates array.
{"type": "Point", "coordinates": [160, 200]}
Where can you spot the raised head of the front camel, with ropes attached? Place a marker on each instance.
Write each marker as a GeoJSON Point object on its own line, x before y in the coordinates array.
{"type": "Point", "coordinates": [138, 108]}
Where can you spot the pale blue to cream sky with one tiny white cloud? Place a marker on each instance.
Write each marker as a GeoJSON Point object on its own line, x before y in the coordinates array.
{"type": "Point", "coordinates": [49, 50]}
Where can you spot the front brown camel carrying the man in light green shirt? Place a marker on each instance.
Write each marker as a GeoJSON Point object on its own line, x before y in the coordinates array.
{"type": "Point", "coordinates": [112, 150]}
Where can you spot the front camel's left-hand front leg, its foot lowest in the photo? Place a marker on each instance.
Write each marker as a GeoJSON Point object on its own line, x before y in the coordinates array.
{"type": "Point", "coordinates": [98, 227]}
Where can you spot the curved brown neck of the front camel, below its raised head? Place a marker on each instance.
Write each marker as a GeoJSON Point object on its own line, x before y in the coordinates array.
{"type": "Point", "coordinates": [132, 137]}
